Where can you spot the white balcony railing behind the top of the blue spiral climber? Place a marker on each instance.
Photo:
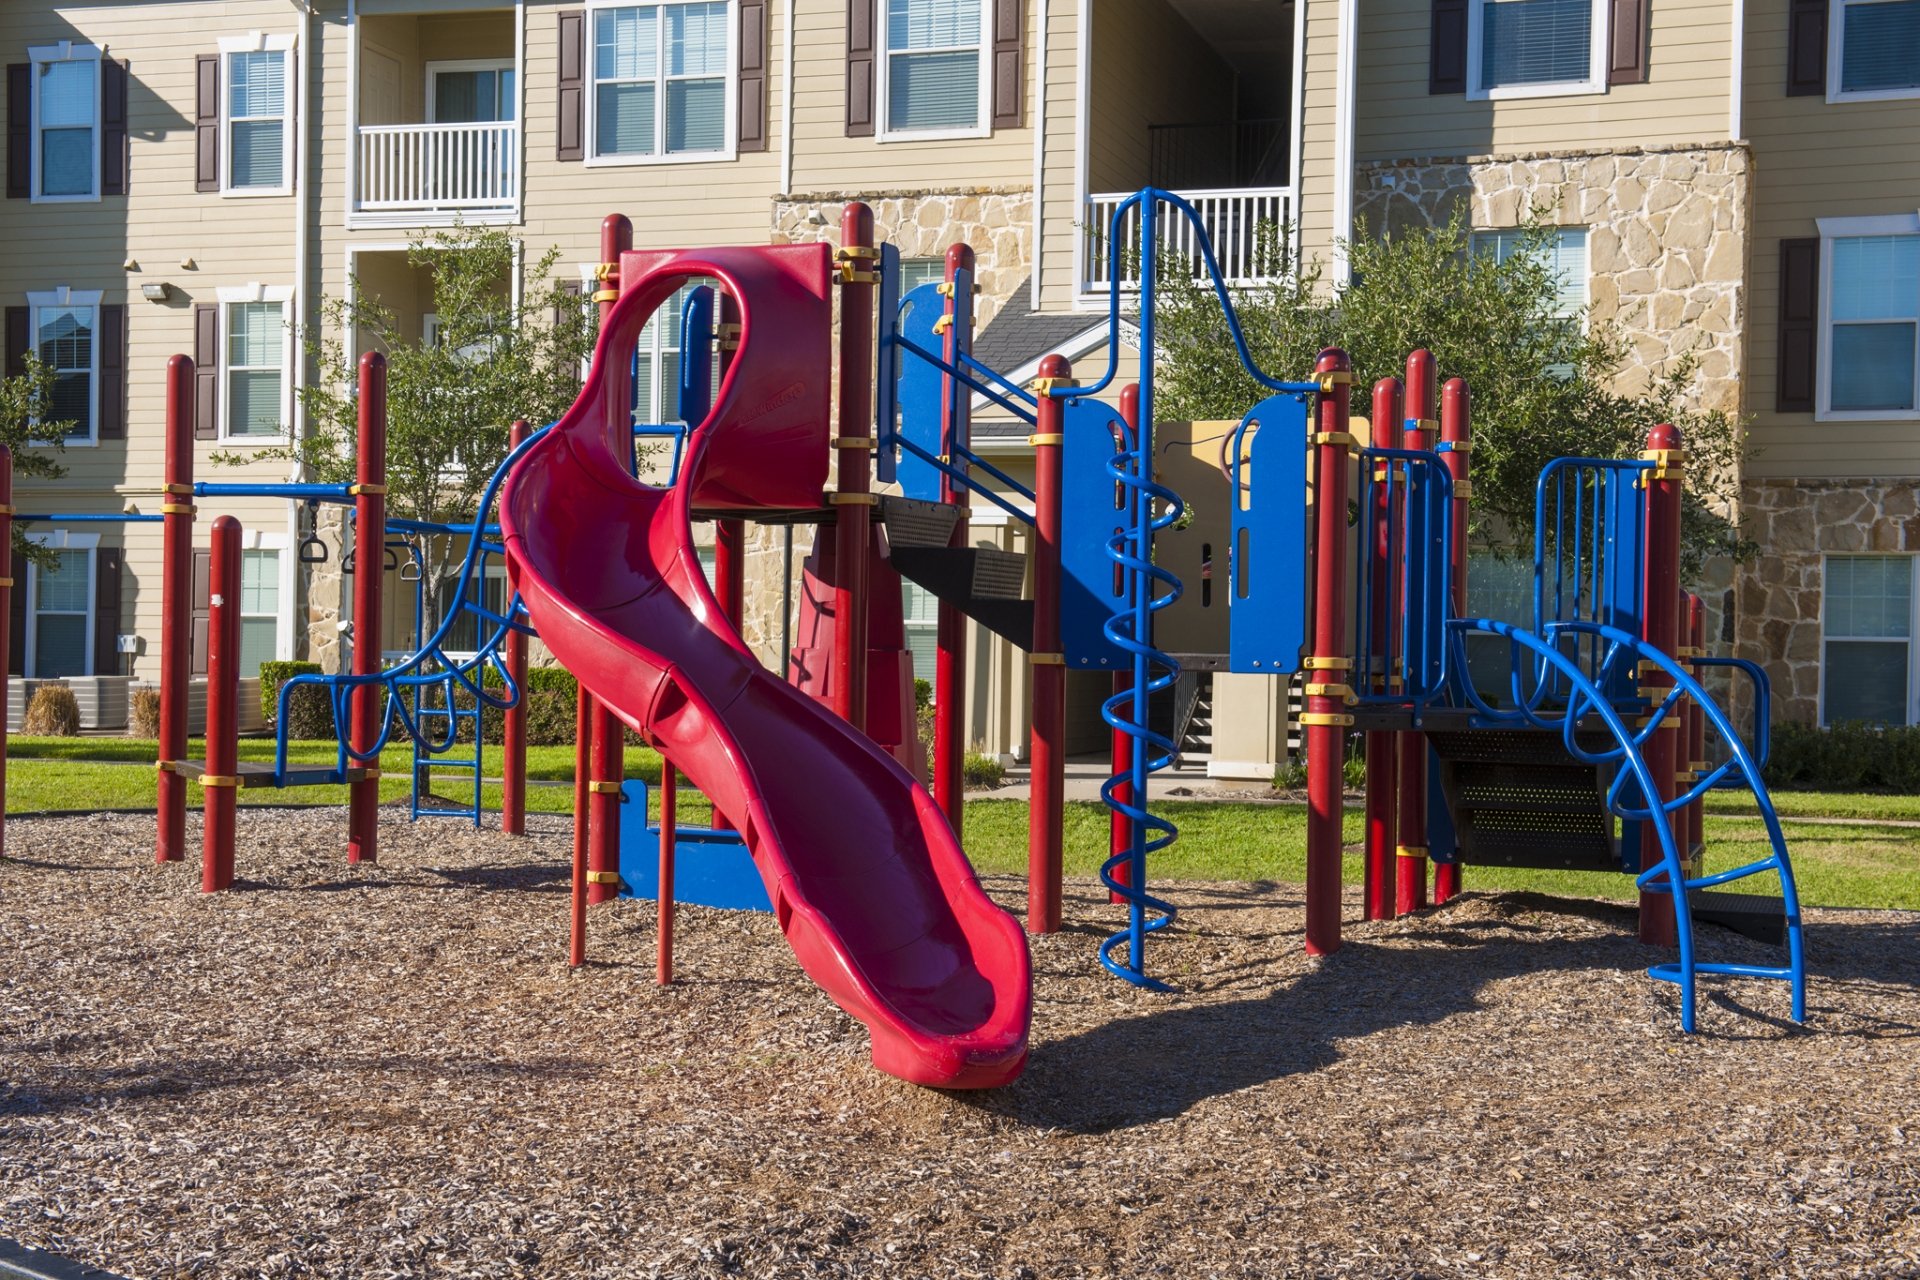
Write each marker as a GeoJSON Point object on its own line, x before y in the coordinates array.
{"type": "Point", "coordinates": [1245, 227]}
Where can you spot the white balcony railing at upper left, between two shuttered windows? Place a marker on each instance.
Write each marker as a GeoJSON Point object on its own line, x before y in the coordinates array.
{"type": "Point", "coordinates": [439, 166]}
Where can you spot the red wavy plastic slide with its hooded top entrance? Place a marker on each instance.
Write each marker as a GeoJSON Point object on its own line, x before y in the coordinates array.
{"type": "Point", "coordinates": [869, 882]}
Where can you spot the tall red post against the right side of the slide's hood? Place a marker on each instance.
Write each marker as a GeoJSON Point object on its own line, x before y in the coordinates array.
{"type": "Point", "coordinates": [853, 448]}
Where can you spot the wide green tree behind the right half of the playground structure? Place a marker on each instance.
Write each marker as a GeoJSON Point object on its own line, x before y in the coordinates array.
{"type": "Point", "coordinates": [1541, 377]}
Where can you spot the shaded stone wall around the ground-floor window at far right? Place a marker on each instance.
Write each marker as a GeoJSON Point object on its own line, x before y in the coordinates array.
{"type": "Point", "coordinates": [1798, 523]}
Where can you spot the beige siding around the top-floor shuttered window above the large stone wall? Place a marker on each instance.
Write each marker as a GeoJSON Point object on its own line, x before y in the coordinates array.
{"type": "Point", "coordinates": [1685, 99]}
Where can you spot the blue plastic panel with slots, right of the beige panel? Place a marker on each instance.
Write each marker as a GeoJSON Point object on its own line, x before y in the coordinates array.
{"type": "Point", "coordinates": [1266, 556]}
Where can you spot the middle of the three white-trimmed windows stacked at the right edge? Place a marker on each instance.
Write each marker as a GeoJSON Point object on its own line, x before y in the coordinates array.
{"type": "Point", "coordinates": [1873, 325]}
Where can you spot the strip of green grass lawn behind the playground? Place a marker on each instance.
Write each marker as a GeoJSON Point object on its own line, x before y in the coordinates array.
{"type": "Point", "coordinates": [1836, 865]}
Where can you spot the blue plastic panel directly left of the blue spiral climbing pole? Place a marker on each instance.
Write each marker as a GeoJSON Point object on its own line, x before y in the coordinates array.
{"type": "Point", "coordinates": [1090, 515]}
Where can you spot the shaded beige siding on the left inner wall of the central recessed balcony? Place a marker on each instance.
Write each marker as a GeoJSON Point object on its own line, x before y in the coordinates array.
{"type": "Point", "coordinates": [1149, 68]}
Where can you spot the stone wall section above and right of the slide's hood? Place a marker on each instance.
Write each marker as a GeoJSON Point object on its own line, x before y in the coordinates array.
{"type": "Point", "coordinates": [996, 222]}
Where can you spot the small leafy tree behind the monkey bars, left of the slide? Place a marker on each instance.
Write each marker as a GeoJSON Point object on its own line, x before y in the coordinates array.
{"type": "Point", "coordinates": [450, 404]}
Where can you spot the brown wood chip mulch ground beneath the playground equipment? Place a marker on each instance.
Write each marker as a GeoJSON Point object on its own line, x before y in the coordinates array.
{"type": "Point", "coordinates": [389, 1072]}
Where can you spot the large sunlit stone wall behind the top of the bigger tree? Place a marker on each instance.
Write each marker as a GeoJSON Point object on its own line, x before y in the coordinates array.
{"type": "Point", "coordinates": [1668, 239]}
